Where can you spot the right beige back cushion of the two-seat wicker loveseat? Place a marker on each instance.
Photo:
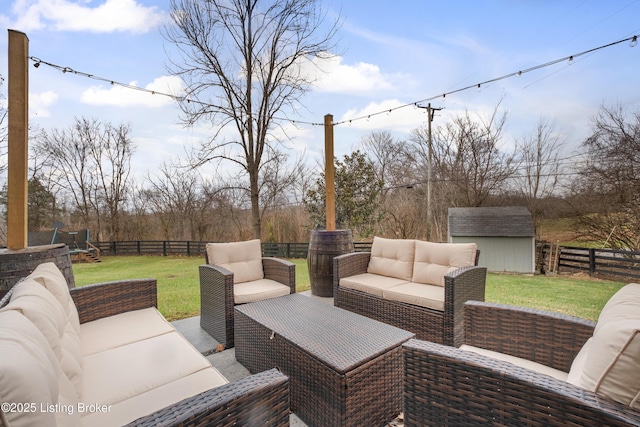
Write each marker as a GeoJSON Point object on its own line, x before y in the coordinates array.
{"type": "Point", "coordinates": [434, 260]}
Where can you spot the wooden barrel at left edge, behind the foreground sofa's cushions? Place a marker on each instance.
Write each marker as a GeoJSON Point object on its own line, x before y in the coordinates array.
{"type": "Point", "coordinates": [19, 263]}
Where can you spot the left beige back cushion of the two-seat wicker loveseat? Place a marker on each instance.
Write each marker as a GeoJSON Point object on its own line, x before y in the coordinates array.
{"type": "Point", "coordinates": [392, 257]}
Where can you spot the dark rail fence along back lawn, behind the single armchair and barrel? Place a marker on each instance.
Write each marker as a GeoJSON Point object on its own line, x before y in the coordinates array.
{"type": "Point", "coordinates": [196, 248]}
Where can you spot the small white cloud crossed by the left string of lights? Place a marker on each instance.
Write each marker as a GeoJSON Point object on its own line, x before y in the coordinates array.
{"type": "Point", "coordinates": [124, 97]}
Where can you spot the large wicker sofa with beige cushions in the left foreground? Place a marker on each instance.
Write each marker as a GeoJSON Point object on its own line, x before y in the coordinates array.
{"type": "Point", "coordinates": [102, 355]}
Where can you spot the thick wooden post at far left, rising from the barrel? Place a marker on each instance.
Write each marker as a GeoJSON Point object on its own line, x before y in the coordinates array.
{"type": "Point", "coordinates": [17, 183]}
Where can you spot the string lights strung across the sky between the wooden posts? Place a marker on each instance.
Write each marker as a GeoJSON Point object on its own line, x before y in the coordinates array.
{"type": "Point", "coordinates": [633, 41]}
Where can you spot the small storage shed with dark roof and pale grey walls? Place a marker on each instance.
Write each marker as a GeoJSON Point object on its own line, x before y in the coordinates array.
{"type": "Point", "coordinates": [505, 236]}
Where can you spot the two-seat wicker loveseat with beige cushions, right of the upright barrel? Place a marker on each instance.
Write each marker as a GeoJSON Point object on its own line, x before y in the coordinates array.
{"type": "Point", "coordinates": [415, 285]}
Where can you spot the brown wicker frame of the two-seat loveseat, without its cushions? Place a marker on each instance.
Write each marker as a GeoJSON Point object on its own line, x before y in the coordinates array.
{"type": "Point", "coordinates": [445, 327]}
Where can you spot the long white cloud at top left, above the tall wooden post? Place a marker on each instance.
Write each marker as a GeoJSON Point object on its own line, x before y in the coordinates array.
{"type": "Point", "coordinates": [68, 15]}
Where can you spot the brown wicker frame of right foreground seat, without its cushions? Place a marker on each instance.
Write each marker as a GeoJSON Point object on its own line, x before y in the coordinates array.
{"type": "Point", "coordinates": [448, 386]}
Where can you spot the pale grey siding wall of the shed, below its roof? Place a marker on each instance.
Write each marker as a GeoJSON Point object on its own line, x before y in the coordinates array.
{"type": "Point", "coordinates": [504, 254]}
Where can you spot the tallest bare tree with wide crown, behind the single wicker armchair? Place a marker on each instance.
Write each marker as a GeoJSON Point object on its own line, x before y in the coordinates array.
{"type": "Point", "coordinates": [242, 62]}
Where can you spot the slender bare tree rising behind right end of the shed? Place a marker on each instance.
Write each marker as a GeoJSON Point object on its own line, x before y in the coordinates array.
{"type": "Point", "coordinates": [539, 161]}
